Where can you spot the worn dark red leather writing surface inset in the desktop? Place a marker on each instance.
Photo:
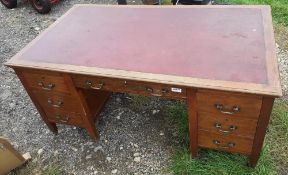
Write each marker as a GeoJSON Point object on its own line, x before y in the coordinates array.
{"type": "Point", "coordinates": [210, 43]}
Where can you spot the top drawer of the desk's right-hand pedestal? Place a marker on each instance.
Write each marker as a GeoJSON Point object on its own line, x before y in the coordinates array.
{"type": "Point", "coordinates": [230, 104]}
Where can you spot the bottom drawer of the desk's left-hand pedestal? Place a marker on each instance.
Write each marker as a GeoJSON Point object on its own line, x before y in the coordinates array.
{"type": "Point", "coordinates": [69, 118]}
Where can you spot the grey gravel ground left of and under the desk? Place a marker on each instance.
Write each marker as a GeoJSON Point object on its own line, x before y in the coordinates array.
{"type": "Point", "coordinates": [132, 141]}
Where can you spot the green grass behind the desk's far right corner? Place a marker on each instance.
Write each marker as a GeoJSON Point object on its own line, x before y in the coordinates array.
{"type": "Point", "coordinates": [279, 7]}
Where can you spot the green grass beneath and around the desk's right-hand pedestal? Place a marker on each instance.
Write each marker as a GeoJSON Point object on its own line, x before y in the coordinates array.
{"type": "Point", "coordinates": [209, 161]}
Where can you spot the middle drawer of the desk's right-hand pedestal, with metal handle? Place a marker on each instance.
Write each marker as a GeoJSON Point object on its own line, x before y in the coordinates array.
{"type": "Point", "coordinates": [227, 125]}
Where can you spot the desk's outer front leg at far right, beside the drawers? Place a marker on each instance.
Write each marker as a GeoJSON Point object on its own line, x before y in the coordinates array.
{"type": "Point", "coordinates": [266, 109]}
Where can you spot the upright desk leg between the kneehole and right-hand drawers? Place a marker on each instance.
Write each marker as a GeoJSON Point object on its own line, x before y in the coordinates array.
{"type": "Point", "coordinates": [193, 121]}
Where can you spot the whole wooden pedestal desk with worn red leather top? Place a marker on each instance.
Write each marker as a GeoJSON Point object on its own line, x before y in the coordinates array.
{"type": "Point", "coordinates": [221, 59]}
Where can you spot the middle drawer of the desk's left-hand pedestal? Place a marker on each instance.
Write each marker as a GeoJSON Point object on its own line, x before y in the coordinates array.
{"type": "Point", "coordinates": [58, 102]}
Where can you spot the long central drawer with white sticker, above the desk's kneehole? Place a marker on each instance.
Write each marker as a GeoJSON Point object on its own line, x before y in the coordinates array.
{"type": "Point", "coordinates": [136, 87]}
